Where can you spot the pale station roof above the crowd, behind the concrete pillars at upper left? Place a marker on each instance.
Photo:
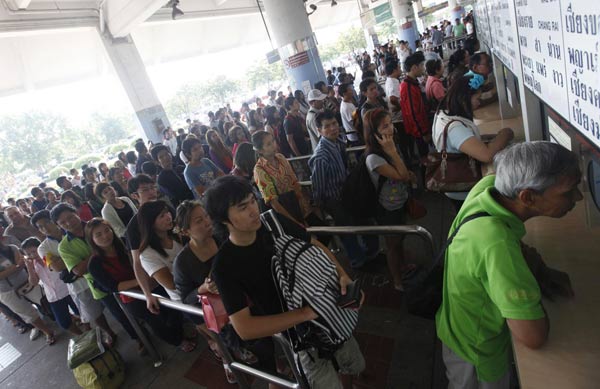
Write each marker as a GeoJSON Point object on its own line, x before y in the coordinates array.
{"type": "Point", "coordinates": [45, 43]}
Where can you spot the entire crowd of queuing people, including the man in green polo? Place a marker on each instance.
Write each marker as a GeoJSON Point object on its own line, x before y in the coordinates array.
{"type": "Point", "coordinates": [182, 218]}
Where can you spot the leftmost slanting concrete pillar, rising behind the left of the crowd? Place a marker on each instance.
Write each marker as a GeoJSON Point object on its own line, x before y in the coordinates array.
{"type": "Point", "coordinates": [131, 71]}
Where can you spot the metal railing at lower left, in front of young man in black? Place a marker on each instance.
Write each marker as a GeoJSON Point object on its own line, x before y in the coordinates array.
{"type": "Point", "coordinates": [236, 367]}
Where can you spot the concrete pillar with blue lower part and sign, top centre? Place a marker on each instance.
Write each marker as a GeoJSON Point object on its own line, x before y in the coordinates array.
{"type": "Point", "coordinates": [292, 34]}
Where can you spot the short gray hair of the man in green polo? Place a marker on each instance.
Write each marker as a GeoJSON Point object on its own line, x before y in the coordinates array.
{"type": "Point", "coordinates": [532, 165]}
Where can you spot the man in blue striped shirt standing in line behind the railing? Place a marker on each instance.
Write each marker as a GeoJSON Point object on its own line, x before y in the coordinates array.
{"type": "Point", "coordinates": [328, 166]}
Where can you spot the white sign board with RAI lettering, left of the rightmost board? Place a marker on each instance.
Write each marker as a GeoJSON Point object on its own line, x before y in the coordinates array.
{"type": "Point", "coordinates": [539, 25]}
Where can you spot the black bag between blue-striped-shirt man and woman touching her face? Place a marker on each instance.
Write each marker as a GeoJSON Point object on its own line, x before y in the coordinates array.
{"type": "Point", "coordinates": [359, 195]}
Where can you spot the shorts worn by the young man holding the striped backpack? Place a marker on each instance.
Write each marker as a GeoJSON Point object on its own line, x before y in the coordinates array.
{"type": "Point", "coordinates": [321, 373]}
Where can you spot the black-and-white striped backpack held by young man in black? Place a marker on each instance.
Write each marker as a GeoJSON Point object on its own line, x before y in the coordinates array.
{"type": "Point", "coordinates": [297, 265]}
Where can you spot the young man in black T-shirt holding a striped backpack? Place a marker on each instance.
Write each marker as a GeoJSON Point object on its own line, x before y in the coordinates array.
{"type": "Point", "coordinates": [242, 272]}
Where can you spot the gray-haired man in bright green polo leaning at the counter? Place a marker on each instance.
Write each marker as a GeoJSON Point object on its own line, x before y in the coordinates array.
{"type": "Point", "coordinates": [493, 282]}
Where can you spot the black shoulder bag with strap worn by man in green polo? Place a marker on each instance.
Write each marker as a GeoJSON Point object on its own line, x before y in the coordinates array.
{"type": "Point", "coordinates": [424, 287]}
